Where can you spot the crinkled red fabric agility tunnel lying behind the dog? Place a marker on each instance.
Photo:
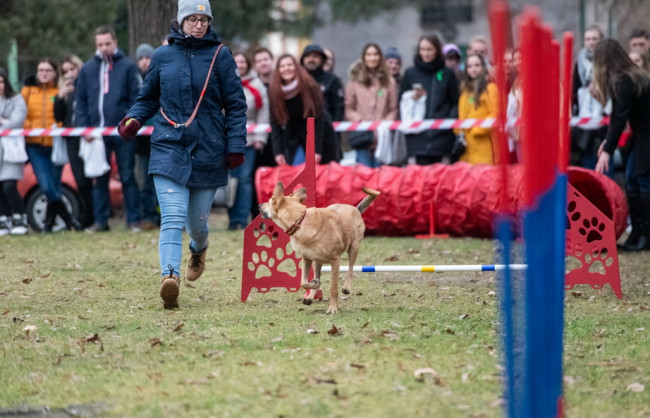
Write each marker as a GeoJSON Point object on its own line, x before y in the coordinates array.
{"type": "Point", "coordinates": [464, 196]}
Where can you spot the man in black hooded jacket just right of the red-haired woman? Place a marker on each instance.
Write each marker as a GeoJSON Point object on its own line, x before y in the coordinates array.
{"type": "Point", "coordinates": [313, 58]}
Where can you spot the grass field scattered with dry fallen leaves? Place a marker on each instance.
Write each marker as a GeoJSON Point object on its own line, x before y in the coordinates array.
{"type": "Point", "coordinates": [82, 330]}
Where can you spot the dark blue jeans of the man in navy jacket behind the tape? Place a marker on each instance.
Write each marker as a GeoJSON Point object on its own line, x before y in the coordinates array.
{"type": "Point", "coordinates": [125, 156]}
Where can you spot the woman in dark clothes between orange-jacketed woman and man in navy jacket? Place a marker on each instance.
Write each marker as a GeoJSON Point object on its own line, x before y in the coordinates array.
{"type": "Point", "coordinates": [64, 114]}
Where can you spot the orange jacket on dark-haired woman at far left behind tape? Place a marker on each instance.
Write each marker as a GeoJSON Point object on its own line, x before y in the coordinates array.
{"type": "Point", "coordinates": [40, 111]}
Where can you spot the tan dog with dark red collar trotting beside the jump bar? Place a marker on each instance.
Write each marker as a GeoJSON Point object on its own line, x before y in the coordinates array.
{"type": "Point", "coordinates": [320, 235]}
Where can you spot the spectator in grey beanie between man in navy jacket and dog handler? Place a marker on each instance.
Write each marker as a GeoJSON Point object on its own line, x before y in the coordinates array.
{"type": "Point", "coordinates": [148, 199]}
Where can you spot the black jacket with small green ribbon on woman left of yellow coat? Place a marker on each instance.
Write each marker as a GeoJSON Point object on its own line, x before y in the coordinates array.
{"type": "Point", "coordinates": [443, 93]}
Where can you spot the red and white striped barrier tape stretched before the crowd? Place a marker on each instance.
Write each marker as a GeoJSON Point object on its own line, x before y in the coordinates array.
{"type": "Point", "coordinates": [587, 123]}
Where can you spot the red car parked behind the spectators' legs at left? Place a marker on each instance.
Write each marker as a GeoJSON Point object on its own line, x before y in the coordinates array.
{"type": "Point", "coordinates": [36, 202]}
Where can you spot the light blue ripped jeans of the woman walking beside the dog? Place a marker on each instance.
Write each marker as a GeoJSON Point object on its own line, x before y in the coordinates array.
{"type": "Point", "coordinates": [181, 206]}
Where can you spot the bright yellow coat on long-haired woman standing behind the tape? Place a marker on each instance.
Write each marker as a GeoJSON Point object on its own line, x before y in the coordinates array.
{"type": "Point", "coordinates": [479, 140]}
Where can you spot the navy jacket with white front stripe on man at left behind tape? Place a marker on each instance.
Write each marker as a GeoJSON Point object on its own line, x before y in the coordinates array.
{"type": "Point", "coordinates": [108, 108]}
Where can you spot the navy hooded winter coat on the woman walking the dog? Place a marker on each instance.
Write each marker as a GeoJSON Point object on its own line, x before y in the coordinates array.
{"type": "Point", "coordinates": [195, 156]}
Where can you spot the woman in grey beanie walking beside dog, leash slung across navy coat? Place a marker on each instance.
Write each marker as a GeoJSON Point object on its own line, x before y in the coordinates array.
{"type": "Point", "coordinates": [190, 155]}
